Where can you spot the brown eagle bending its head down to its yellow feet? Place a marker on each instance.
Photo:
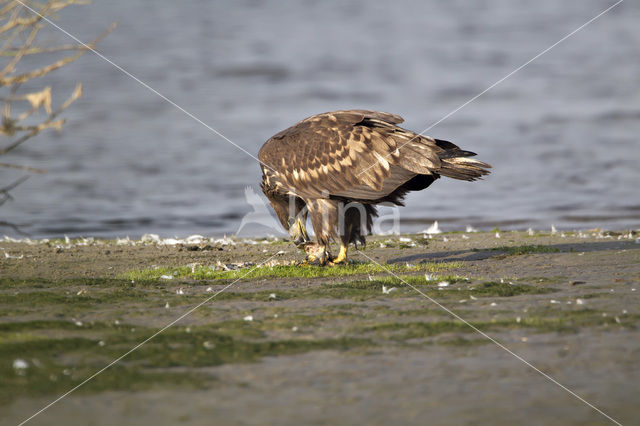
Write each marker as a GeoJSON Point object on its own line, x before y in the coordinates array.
{"type": "Point", "coordinates": [335, 167]}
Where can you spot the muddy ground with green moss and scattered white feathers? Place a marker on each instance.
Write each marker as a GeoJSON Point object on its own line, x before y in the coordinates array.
{"type": "Point", "coordinates": [283, 344]}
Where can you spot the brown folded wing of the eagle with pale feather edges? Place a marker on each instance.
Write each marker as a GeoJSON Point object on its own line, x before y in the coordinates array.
{"type": "Point", "coordinates": [354, 153]}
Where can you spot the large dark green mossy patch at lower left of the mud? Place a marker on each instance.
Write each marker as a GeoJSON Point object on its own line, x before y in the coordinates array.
{"type": "Point", "coordinates": [55, 365]}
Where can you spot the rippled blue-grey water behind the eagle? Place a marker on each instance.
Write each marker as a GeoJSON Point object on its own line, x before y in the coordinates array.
{"type": "Point", "coordinates": [562, 133]}
